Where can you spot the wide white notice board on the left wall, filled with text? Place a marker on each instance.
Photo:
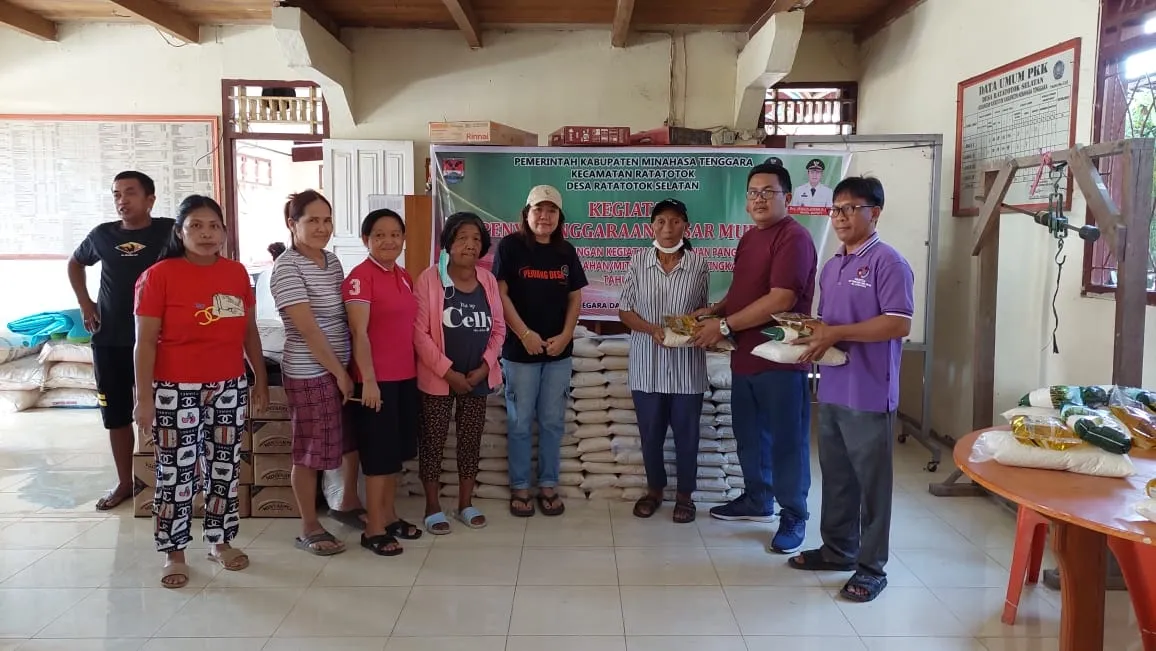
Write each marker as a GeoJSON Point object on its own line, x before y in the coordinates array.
{"type": "Point", "coordinates": [57, 173]}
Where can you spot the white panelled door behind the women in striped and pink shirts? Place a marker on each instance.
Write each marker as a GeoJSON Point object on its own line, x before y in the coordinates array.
{"type": "Point", "coordinates": [352, 172]}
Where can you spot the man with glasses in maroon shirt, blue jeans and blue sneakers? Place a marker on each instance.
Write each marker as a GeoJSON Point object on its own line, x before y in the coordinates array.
{"type": "Point", "coordinates": [774, 272]}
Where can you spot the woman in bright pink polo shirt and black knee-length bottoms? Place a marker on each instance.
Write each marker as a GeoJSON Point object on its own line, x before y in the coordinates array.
{"type": "Point", "coordinates": [380, 301]}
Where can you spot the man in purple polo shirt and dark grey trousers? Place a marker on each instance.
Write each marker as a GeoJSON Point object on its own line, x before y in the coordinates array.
{"type": "Point", "coordinates": [866, 302]}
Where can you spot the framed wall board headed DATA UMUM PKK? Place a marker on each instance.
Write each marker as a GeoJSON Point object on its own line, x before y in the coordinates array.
{"type": "Point", "coordinates": [1022, 109]}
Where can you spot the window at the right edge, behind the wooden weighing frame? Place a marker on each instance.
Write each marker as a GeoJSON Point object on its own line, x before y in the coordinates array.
{"type": "Point", "coordinates": [1125, 108]}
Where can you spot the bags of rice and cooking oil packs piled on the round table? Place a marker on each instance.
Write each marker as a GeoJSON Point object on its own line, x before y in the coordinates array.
{"type": "Point", "coordinates": [1083, 430]}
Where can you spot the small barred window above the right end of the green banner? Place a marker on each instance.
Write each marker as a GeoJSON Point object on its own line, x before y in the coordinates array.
{"type": "Point", "coordinates": [810, 109]}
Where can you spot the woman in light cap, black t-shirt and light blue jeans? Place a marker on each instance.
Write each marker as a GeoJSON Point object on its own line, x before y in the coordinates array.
{"type": "Point", "coordinates": [540, 278]}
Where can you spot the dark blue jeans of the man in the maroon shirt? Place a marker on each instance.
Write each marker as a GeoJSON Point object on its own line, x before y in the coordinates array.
{"type": "Point", "coordinates": [772, 416]}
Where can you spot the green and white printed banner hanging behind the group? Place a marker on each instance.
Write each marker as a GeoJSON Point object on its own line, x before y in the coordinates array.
{"type": "Point", "coordinates": [609, 195]}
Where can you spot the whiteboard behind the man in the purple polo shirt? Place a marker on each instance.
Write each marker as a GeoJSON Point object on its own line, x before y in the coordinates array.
{"type": "Point", "coordinates": [909, 169]}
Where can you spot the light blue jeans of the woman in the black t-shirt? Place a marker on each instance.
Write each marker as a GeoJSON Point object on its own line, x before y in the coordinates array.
{"type": "Point", "coordinates": [540, 391]}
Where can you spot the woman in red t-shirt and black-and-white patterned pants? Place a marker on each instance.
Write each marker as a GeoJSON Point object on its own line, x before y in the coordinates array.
{"type": "Point", "coordinates": [195, 329]}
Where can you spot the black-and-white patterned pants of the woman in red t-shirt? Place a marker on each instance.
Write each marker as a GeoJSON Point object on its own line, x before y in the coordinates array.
{"type": "Point", "coordinates": [198, 440]}
